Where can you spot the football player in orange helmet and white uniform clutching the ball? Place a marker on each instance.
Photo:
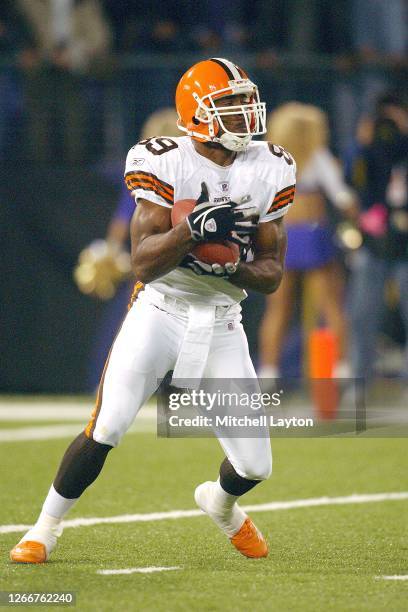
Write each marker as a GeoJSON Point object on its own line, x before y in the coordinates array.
{"type": "Point", "coordinates": [185, 315]}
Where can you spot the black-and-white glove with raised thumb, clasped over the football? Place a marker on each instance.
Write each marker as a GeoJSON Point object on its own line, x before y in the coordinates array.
{"type": "Point", "coordinates": [214, 222]}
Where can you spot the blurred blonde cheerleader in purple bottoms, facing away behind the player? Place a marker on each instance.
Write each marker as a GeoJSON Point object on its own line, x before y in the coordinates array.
{"type": "Point", "coordinates": [303, 131]}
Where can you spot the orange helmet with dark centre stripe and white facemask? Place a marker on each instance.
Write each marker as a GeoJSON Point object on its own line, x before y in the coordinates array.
{"type": "Point", "coordinates": [201, 119]}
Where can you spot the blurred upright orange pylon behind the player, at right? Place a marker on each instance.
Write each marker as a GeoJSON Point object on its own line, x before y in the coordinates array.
{"type": "Point", "coordinates": [323, 356]}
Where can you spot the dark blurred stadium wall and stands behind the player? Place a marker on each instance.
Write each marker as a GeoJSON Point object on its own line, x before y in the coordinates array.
{"type": "Point", "coordinates": [78, 81]}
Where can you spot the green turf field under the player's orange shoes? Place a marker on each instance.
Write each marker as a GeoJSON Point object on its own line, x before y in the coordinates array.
{"type": "Point", "coordinates": [321, 558]}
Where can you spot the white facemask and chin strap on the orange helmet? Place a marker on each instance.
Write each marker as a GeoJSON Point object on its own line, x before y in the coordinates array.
{"type": "Point", "coordinates": [252, 112]}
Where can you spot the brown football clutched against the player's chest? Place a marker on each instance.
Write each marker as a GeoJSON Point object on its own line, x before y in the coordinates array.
{"type": "Point", "coordinates": [208, 252]}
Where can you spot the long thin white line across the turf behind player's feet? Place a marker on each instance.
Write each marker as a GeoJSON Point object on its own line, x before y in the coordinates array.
{"type": "Point", "coordinates": [178, 514]}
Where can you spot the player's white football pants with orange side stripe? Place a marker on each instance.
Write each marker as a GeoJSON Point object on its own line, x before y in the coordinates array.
{"type": "Point", "coordinates": [147, 347]}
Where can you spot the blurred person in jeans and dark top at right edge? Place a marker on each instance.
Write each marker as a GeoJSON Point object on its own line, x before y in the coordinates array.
{"type": "Point", "coordinates": [379, 172]}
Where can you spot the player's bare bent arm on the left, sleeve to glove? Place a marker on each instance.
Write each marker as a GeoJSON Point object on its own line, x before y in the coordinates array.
{"type": "Point", "coordinates": [157, 248]}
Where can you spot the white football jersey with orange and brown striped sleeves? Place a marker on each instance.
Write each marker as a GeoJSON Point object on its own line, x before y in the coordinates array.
{"type": "Point", "coordinates": [164, 170]}
